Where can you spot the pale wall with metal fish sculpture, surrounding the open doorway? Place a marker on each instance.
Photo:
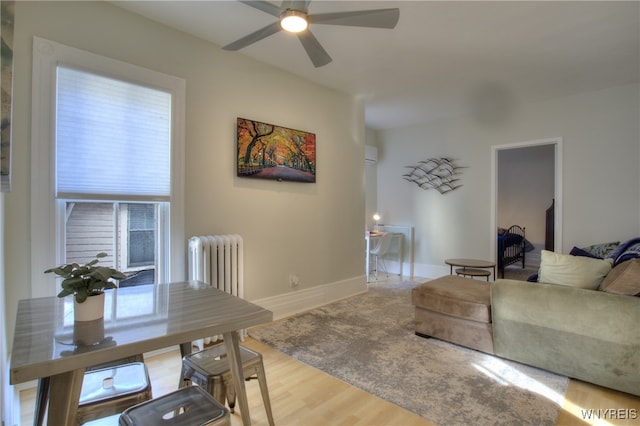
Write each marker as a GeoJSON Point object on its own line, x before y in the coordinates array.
{"type": "Point", "coordinates": [601, 174]}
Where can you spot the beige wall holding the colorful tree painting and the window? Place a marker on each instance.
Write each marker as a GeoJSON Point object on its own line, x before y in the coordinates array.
{"type": "Point", "coordinates": [312, 230]}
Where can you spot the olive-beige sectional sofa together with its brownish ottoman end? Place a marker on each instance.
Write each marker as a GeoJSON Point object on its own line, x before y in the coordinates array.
{"type": "Point", "coordinates": [591, 334]}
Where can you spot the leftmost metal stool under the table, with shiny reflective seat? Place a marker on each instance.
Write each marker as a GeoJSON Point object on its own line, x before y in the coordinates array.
{"type": "Point", "coordinates": [110, 390]}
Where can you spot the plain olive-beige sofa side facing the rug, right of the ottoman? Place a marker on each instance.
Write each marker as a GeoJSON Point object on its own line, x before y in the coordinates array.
{"type": "Point", "coordinates": [584, 334]}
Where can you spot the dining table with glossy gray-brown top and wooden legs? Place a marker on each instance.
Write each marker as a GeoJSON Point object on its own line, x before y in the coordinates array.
{"type": "Point", "coordinates": [170, 314]}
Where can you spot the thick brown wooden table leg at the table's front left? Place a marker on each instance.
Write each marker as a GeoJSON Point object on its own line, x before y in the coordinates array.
{"type": "Point", "coordinates": [64, 395]}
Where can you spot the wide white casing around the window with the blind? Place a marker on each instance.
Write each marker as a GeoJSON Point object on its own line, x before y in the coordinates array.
{"type": "Point", "coordinates": [47, 231]}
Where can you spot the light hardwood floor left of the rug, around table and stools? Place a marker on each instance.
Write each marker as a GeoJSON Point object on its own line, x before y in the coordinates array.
{"type": "Point", "coordinates": [300, 395]}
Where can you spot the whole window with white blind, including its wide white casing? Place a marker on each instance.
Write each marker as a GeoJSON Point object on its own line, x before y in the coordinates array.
{"type": "Point", "coordinates": [107, 158]}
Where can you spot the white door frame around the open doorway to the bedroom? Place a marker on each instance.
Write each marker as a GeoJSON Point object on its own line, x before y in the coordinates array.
{"type": "Point", "coordinates": [495, 149]}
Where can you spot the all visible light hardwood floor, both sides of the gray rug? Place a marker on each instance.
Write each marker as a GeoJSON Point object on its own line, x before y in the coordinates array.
{"type": "Point", "coordinates": [302, 395]}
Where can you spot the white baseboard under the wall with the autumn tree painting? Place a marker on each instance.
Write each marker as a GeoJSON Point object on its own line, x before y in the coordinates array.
{"type": "Point", "coordinates": [284, 305]}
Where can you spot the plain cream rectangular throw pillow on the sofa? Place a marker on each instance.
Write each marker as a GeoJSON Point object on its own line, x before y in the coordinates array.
{"type": "Point", "coordinates": [572, 271]}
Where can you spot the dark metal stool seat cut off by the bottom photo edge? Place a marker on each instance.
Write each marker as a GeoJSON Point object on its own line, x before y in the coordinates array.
{"type": "Point", "coordinates": [188, 406]}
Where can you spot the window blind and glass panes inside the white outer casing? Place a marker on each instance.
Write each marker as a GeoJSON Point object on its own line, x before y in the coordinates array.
{"type": "Point", "coordinates": [113, 145]}
